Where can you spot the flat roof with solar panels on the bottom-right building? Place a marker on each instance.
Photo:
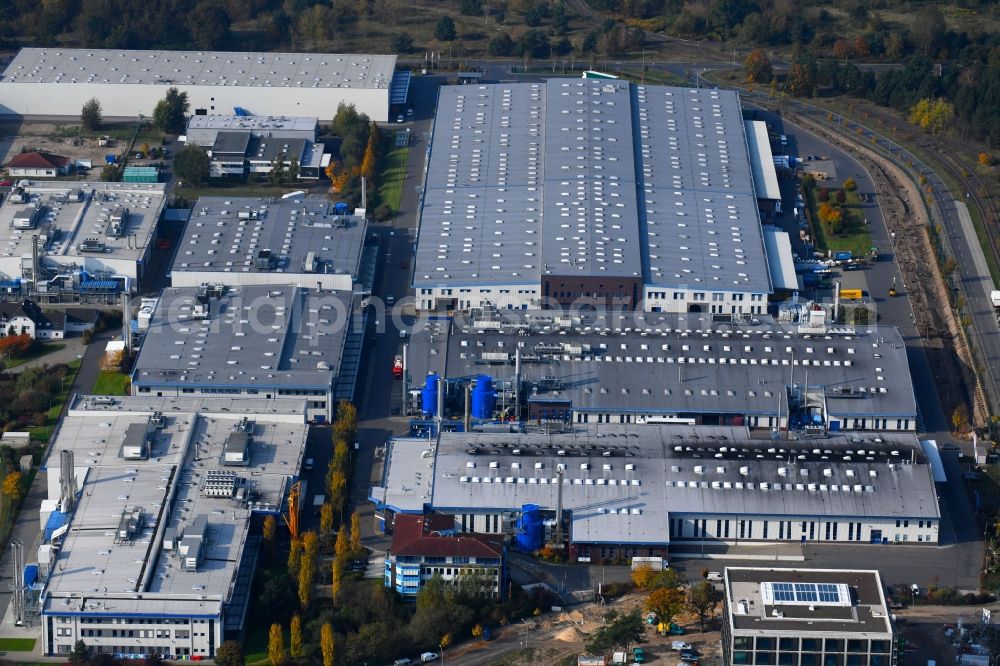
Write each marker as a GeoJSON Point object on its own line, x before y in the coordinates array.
{"type": "Point", "coordinates": [756, 606]}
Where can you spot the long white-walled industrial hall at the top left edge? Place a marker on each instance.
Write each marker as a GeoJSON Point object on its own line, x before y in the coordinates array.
{"type": "Point", "coordinates": [58, 81]}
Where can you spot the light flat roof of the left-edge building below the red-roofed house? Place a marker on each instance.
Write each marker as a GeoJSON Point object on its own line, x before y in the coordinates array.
{"type": "Point", "coordinates": [73, 212]}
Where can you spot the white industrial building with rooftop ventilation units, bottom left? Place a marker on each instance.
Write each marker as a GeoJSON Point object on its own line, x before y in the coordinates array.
{"type": "Point", "coordinates": [152, 523]}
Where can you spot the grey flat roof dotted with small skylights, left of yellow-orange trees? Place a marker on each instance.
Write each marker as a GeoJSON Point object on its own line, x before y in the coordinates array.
{"type": "Point", "coordinates": [218, 239]}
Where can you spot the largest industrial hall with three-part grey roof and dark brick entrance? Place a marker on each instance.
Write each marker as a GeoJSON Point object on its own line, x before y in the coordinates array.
{"type": "Point", "coordinates": [595, 192]}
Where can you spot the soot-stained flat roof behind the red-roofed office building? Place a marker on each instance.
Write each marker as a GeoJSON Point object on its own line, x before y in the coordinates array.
{"type": "Point", "coordinates": [622, 482]}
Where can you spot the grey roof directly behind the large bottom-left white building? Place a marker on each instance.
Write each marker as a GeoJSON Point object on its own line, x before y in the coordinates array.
{"type": "Point", "coordinates": [255, 336]}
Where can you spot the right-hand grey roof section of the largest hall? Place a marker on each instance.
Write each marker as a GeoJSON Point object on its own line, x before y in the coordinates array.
{"type": "Point", "coordinates": [702, 221]}
